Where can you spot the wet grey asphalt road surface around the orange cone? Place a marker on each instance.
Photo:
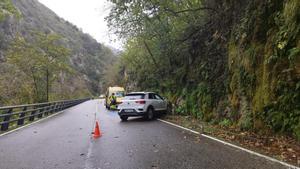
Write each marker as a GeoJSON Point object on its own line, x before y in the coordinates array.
{"type": "Point", "coordinates": [64, 142]}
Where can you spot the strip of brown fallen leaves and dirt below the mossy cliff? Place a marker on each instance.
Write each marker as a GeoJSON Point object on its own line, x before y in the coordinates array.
{"type": "Point", "coordinates": [280, 147]}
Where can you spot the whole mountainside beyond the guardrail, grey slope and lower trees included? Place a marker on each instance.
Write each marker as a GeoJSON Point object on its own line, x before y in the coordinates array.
{"type": "Point", "coordinates": [45, 58]}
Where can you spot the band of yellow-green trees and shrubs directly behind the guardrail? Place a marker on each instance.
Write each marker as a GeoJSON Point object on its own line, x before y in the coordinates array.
{"type": "Point", "coordinates": [36, 71]}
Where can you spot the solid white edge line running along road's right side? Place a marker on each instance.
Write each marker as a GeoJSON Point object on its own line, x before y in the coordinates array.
{"type": "Point", "coordinates": [232, 145]}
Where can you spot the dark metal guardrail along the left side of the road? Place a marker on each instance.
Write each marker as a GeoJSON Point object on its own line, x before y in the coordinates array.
{"type": "Point", "coordinates": [16, 116]}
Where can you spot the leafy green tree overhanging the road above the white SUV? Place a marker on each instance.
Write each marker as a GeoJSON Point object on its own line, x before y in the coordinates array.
{"type": "Point", "coordinates": [162, 32]}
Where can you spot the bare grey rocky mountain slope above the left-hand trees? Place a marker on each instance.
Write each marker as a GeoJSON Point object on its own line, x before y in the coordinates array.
{"type": "Point", "coordinates": [88, 56]}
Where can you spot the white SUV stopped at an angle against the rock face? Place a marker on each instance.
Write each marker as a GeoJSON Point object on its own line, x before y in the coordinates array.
{"type": "Point", "coordinates": [144, 104]}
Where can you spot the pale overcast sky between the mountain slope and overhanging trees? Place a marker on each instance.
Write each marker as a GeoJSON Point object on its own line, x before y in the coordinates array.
{"type": "Point", "coordinates": [88, 15]}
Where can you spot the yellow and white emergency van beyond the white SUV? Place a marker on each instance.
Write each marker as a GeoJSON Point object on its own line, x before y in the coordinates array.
{"type": "Point", "coordinates": [118, 93]}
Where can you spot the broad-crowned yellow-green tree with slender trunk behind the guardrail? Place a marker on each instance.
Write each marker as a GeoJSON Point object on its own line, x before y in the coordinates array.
{"type": "Point", "coordinates": [42, 60]}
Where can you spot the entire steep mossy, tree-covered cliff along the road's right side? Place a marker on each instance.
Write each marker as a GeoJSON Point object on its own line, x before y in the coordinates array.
{"type": "Point", "coordinates": [234, 62]}
